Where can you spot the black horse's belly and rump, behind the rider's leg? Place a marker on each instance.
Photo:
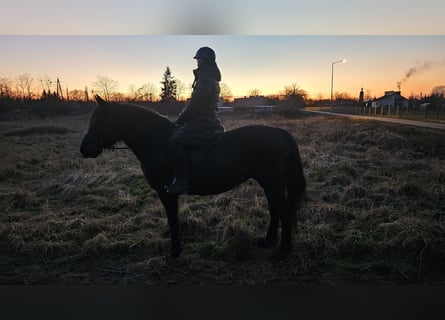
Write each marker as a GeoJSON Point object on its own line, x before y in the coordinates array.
{"type": "Point", "coordinates": [256, 151]}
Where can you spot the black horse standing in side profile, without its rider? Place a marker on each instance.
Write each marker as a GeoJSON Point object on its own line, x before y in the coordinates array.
{"type": "Point", "coordinates": [267, 154]}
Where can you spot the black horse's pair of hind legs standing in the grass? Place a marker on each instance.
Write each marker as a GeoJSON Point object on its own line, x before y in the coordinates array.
{"type": "Point", "coordinates": [279, 211]}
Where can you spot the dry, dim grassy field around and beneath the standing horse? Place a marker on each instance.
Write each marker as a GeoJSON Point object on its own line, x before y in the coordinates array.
{"type": "Point", "coordinates": [374, 213]}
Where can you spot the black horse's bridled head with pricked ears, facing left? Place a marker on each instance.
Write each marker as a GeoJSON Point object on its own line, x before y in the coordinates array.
{"type": "Point", "coordinates": [100, 133]}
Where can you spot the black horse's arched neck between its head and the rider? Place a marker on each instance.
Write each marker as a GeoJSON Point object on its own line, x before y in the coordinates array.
{"type": "Point", "coordinates": [143, 131]}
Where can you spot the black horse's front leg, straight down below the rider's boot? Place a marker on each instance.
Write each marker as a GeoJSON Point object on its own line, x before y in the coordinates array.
{"type": "Point", "coordinates": [170, 203]}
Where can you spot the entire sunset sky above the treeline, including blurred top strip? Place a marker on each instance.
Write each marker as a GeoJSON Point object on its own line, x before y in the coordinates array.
{"type": "Point", "coordinates": [258, 45]}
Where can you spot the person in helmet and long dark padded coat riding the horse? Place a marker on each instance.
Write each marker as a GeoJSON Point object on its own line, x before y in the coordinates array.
{"type": "Point", "coordinates": [197, 125]}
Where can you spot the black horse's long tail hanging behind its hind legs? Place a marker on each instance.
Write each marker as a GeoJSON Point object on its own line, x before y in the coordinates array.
{"type": "Point", "coordinates": [296, 181]}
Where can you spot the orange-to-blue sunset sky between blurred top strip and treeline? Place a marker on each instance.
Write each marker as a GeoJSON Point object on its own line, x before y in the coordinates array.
{"type": "Point", "coordinates": [263, 64]}
